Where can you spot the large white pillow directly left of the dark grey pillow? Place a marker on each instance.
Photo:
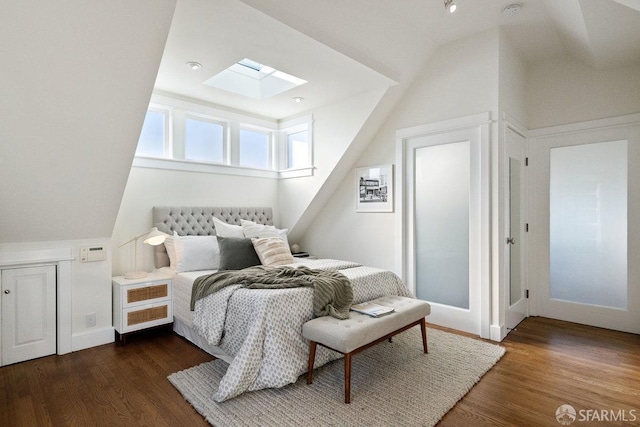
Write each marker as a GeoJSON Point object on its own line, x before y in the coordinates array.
{"type": "Point", "coordinates": [193, 253]}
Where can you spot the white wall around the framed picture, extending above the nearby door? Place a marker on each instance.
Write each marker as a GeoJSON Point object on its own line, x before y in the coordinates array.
{"type": "Point", "coordinates": [461, 79]}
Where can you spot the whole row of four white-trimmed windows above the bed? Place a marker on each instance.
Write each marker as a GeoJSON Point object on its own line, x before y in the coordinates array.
{"type": "Point", "coordinates": [189, 136]}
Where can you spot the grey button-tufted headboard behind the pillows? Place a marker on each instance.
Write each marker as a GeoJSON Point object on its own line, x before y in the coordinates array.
{"type": "Point", "coordinates": [197, 221]}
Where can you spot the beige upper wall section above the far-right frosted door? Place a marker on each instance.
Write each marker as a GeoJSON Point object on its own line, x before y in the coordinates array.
{"type": "Point", "coordinates": [566, 91]}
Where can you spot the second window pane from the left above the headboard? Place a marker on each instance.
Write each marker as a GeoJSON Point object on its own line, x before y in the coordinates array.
{"type": "Point", "coordinates": [203, 140]}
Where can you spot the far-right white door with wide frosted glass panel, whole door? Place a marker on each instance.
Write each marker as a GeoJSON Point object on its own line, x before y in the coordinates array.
{"type": "Point", "coordinates": [585, 234]}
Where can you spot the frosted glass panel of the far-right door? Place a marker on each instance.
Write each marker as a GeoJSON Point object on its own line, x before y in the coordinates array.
{"type": "Point", "coordinates": [588, 224]}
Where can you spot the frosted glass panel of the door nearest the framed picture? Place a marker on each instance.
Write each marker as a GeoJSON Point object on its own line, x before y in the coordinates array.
{"type": "Point", "coordinates": [442, 175]}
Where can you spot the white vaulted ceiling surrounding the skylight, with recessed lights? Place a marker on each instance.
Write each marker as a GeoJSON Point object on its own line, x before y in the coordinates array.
{"type": "Point", "coordinates": [347, 47]}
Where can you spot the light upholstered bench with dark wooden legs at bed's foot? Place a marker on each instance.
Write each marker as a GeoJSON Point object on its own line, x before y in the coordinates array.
{"type": "Point", "coordinates": [360, 331]}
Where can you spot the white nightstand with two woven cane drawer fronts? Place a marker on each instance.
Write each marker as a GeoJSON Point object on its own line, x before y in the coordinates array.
{"type": "Point", "coordinates": [140, 304]}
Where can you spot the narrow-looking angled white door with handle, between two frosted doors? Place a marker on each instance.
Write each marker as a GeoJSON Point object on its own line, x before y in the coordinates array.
{"type": "Point", "coordinates": [515, 244]}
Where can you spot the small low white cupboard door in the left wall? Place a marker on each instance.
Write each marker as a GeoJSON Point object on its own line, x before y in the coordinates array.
{"type": "Point", "coordinates": [28, 313]}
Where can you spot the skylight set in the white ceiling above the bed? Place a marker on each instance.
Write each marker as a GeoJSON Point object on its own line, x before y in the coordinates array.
{"type": "Point", "coordinates": [253, 79]}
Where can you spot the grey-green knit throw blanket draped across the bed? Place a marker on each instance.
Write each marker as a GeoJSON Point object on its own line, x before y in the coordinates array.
{"type": "Point", "coordinates": [332, 294]}
